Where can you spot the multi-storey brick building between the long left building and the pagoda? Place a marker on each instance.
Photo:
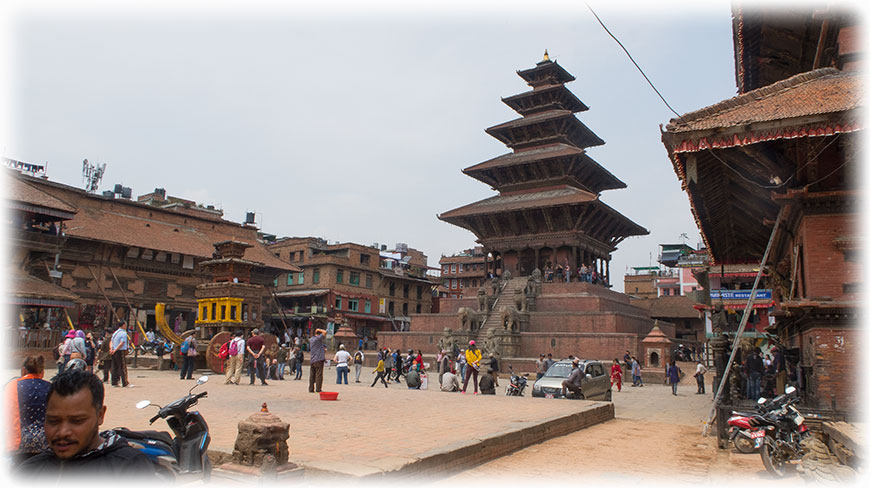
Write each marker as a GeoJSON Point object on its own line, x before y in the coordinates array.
{"type": "Point", "coordinates": [366, 288]}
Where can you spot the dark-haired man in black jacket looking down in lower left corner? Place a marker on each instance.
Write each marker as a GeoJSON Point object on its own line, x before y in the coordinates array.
{"type": "Point", "coordinates": [73, 415]}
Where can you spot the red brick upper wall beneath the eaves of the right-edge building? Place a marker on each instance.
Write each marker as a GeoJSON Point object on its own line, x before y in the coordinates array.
{"type": "Point", "coordinates": [826, 268]}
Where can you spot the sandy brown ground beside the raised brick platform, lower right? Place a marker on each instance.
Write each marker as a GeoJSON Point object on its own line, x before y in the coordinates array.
{"type": "Point", "coordinates": [655, 437]}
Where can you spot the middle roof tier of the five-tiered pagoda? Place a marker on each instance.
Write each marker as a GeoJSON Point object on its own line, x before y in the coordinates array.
{"type": "Point", "coordinates": [553, 126]}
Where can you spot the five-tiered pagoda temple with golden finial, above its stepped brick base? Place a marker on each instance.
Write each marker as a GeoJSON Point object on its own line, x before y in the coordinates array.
{"type": "Point", "coordinates": [548, 210]}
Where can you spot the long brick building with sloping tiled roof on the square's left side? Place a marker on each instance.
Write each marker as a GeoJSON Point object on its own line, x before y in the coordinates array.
{"type": "Point", "coordinates": [117, 258]}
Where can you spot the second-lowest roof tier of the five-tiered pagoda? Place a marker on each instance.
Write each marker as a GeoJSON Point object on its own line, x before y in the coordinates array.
{"type": "Point", "coordinates": [556, 164]}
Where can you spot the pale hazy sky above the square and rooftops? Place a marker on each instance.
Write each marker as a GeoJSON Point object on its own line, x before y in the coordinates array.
{"type": "Point", "coordinates": [352, 122]}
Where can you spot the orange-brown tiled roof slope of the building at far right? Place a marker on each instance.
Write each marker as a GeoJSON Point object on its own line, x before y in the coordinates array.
{"type": "Point", "coordinates": [819, 92]}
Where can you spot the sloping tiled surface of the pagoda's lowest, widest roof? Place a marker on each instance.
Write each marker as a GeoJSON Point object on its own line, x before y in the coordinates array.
{"type": "Point", "coordinates": [527, 200]}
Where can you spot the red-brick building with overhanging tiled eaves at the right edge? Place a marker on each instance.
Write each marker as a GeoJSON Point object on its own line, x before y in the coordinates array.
{"type": "Point", "coordinates": [786, 150]}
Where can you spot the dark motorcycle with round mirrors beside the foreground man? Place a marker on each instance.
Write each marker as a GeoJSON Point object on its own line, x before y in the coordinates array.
{"type": "Point", "coordinates": [186, 453]}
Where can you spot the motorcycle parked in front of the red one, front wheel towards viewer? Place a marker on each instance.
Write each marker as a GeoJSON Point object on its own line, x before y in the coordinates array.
{"type": "Point", "coordinates": [779, 436]}
